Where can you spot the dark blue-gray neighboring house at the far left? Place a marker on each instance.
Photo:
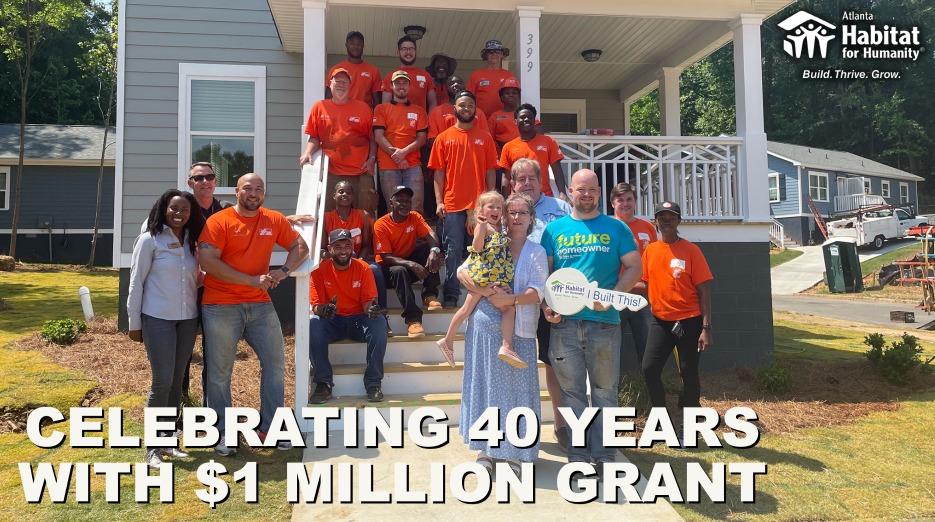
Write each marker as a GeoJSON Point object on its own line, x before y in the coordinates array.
{"type": "Point", "coordinates": [59, 192]}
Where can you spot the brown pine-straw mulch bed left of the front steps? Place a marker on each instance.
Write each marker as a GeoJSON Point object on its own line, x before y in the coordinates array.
{"type": "Point", "coordinates": [121, 366]}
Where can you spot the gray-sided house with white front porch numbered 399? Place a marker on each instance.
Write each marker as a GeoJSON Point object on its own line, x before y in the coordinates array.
{"type": "Point", "coordinates": [231, 81]}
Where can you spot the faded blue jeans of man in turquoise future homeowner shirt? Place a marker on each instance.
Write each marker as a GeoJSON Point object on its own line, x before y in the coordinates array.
{"type": "Point", "coordinates": [587, 349]}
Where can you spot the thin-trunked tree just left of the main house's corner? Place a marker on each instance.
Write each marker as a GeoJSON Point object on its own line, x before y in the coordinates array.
{"type": "Point", "coordinates": [100, 63]}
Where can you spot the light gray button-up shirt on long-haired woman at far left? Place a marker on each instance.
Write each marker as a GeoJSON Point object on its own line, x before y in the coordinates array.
{"type": "Point", "coordinates": [163, 279]}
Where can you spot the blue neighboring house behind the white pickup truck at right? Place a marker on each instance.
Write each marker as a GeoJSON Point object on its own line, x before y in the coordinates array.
{"type": "Point", "coordinates": [836, 181]}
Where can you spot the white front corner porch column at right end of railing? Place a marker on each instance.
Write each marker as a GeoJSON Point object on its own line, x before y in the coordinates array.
{"type": "Point", "coordinates": [748, 81]}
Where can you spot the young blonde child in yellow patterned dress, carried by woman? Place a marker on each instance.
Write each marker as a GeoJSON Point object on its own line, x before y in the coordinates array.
{"type": "Point", "coordinates": [489, 264]}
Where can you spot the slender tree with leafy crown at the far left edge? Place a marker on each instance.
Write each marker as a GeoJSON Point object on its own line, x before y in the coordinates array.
{"type": "Point", "coordinates": [24, 25]}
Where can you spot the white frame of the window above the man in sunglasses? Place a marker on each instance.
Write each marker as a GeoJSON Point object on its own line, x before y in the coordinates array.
{"type": "Point", "coordinates": [221, 72]}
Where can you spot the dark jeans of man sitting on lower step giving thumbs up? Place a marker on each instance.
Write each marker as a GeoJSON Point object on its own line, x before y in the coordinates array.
{"type": "Point", "coordinates": [359, 328]}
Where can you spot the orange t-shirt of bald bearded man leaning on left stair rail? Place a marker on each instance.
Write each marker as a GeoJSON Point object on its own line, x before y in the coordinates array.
{"type": "Point", "coordinates": [246, 244]}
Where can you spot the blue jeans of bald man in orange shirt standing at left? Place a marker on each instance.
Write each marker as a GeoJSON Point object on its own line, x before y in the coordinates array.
{"type": "Point", "coordinates": [258, 324]}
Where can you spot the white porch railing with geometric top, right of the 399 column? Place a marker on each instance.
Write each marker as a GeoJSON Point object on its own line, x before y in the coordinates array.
{"type": "Point", "coordinates": [699, 173]}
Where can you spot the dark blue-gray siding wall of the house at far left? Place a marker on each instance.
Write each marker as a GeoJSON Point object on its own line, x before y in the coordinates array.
{"type": "Point", "coordinates": [62, 196]}
